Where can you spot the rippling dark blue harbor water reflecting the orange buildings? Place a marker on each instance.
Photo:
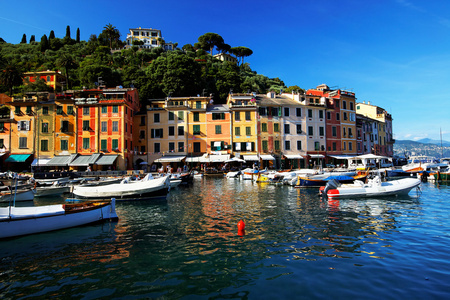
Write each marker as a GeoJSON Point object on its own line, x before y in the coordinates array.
{"type": "Point", "coordinates": [295, 246]}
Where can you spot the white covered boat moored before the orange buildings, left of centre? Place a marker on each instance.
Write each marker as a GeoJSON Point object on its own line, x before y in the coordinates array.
{"type": "Point", "coordinates": [148, 187]}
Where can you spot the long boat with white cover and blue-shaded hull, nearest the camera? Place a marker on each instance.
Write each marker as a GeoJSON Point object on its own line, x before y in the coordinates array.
{"type": "Point", "coordinates": [17, 221]}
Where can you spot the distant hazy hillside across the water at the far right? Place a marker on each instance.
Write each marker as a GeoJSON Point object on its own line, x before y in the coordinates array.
{"type": "Point", "coordinates": [408, 148]}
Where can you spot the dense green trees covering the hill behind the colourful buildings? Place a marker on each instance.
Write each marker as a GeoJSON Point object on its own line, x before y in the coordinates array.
{"type": "Point", "coordinates": [156, 73]}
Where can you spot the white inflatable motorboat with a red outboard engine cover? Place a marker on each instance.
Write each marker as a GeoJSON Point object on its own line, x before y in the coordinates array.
{"type": "Point", "coordinates": [374, 188]}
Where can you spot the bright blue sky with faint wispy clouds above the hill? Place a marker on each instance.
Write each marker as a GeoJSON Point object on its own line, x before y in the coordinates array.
{"type": "Point", "coordinates": [393, 53]}
